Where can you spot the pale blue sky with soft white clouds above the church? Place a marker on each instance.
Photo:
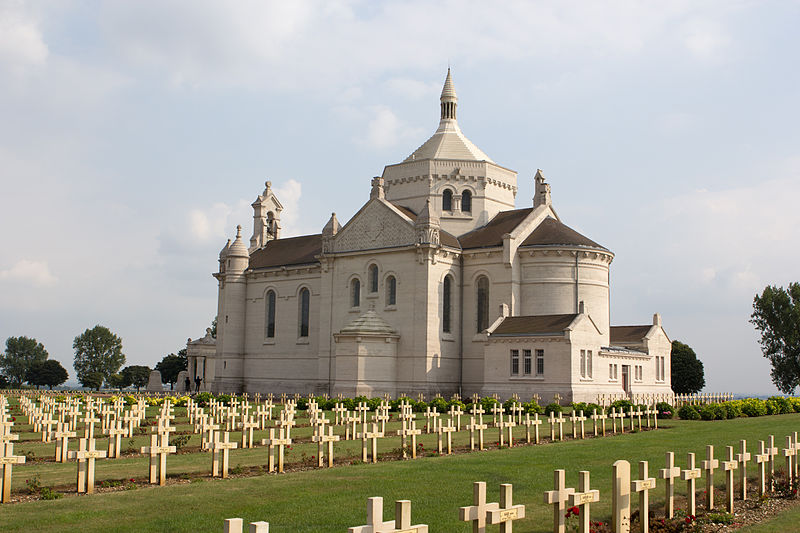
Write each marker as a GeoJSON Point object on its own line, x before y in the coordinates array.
{"type": "Point", "coordinates": [135, 135]}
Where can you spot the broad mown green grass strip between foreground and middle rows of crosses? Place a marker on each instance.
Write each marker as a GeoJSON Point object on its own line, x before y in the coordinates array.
{"type": "Point", "coordinates": [322, 500]}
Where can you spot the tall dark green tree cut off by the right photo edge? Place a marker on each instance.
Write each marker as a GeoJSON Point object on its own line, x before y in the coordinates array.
{"type": "Point", "coordinates": [776, 315]}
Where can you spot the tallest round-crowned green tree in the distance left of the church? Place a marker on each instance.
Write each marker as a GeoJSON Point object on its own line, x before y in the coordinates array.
{"type": "Point", "coordinates": [99, 351]}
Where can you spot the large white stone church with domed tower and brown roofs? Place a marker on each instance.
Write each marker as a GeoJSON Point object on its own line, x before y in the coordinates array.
{"type": "Point", "coordinates": [438, 284]}
